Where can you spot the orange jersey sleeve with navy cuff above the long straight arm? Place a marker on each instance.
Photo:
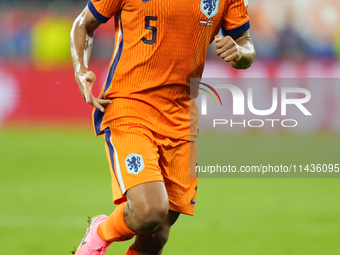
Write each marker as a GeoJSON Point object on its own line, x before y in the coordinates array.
{"type": "Point", "coordinates": [103, 10]}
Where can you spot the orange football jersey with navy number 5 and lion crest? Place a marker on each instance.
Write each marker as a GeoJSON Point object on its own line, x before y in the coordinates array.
{"type": "Point", "coordinates": [159, 46]}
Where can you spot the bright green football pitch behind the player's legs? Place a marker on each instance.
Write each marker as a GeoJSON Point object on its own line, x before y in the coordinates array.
{"type": "Point", "coordinates": [52, 179]}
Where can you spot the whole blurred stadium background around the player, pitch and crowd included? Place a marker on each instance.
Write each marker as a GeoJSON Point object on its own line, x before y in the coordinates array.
{"type": "Point", "coordinates": [52, 168]}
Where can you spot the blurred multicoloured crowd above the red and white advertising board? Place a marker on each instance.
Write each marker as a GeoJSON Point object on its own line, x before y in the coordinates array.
{"type": "Point", "coordinates": [38, 30]}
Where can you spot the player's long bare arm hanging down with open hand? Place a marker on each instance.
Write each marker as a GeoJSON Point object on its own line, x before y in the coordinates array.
{"type": "Point", "coordinates": [81, 41]}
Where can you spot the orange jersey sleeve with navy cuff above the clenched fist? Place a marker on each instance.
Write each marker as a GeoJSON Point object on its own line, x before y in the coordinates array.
{"type": "Point", "coordinates": [236, 19]}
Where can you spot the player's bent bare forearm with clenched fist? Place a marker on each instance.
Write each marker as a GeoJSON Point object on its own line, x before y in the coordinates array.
{"type": "Point", "coordinates": [238, 51]}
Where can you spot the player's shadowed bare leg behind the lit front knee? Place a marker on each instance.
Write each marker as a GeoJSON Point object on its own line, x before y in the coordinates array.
{"type": "Point", "coordinates": [153, 243]}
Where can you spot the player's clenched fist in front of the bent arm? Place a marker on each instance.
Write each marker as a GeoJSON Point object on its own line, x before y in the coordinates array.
{"type": "Point", "coordinates": [228, 49]}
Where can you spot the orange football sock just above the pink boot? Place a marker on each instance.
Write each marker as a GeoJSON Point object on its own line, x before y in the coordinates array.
{"type": "Point", "coordinates": [114, 228]}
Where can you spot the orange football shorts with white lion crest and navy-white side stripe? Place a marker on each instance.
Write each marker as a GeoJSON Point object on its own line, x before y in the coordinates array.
{"type": "Point", "coordinates": [138, 155]}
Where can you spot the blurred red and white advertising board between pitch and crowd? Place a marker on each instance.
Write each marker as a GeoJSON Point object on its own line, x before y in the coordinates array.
{"type": "Point", "coordinates": [30, 93]}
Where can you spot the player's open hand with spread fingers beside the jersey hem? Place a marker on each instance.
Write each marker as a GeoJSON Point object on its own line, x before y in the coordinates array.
{"type": "Point", "coordinates": [85, 82]}
